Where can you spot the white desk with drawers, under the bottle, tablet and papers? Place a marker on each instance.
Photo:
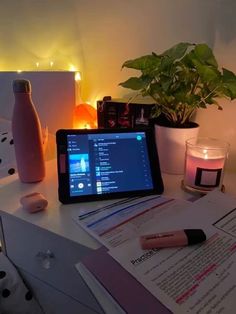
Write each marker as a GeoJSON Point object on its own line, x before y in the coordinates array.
{"type": "Point", "coordinates": [26, 239]}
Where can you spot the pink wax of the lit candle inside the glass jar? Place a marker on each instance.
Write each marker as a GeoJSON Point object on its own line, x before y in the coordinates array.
{"type": "Point", "coordinates": [202, 171]}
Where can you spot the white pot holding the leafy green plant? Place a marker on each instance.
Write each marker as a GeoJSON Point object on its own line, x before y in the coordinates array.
{"type": "Point", "coordinates": [171, 146]}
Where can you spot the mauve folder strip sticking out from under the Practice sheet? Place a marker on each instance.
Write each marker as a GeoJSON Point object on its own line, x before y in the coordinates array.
{"type": "Point", "coordinates": [132, 296]}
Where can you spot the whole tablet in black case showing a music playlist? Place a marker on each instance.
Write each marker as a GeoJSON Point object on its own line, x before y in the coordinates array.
{"type": "Point", "coordinates": [101, 164]}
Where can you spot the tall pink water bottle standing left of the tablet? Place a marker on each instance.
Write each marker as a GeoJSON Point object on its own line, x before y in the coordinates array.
{"type": "Point", "coordinates": [27, 135]}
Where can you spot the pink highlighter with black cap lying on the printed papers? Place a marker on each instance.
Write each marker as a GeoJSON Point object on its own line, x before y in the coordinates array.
{"type": "Point", "coordinates": [172, 239]}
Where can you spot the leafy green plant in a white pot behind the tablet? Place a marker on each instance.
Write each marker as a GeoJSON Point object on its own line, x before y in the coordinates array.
{"type": "Point", "coordinates": [180, 80]}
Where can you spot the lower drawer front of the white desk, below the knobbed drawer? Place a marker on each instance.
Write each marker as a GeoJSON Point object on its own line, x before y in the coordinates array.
{"type": "Point", "coordinates": [52, 301]}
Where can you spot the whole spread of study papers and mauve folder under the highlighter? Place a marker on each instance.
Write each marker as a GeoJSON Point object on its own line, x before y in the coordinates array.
{"type": "Point", "coordinates": [193, 279]}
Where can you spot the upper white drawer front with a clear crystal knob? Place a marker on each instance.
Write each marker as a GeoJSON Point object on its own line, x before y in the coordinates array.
{"type": "Point", "coordinates": [47, 256]}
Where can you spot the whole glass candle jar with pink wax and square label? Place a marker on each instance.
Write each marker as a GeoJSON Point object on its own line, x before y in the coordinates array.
{"type": "Point", "coordinates": [204, 164]}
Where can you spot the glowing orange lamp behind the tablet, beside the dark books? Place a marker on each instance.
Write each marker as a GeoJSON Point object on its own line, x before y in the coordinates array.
{"type": "Point", "coordinates": [85, 117]}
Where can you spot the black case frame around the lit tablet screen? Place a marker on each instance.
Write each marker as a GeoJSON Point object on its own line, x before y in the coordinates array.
{"type": "Point", "coordinates": [63, 166]}
